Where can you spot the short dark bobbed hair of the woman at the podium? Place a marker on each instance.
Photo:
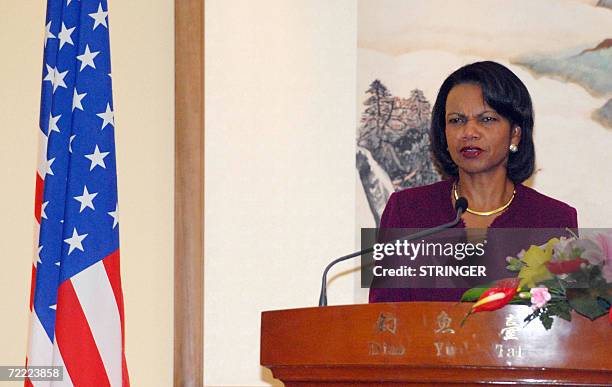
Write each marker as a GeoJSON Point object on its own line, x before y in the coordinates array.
{"type": "Point", "coordinates": [505, 93]}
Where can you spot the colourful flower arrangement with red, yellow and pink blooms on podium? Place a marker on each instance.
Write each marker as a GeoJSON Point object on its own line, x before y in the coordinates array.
{"type": "Point", "coordinates": [564, 275]}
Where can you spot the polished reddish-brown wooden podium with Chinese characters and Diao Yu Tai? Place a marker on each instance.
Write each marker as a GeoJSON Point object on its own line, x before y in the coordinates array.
{"type": "Point", "coordinates": [421, 343]}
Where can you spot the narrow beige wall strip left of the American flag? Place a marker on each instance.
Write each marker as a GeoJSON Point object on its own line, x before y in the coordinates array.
{"type": "Point", "coordinates": [21, 65]}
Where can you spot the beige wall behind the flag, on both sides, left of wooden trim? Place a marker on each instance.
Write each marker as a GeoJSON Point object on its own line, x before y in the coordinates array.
{"type": "Point", "coordinates": [142, 38]}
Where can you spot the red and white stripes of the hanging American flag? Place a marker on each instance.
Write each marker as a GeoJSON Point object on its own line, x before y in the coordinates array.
{"type": "Point", "coordinates": [89, 330]}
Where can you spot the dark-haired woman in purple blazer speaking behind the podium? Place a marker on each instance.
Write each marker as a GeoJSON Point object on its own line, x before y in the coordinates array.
{"type": "Point", "coordinates": [481, 131]}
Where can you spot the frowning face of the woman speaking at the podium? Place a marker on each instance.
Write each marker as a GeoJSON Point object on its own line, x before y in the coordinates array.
{"type": "Point", "coordinates": [477, 136]}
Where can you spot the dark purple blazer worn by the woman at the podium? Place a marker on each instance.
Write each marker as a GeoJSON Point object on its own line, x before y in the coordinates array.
{"type": "Point", "coordinates": [430, 205]}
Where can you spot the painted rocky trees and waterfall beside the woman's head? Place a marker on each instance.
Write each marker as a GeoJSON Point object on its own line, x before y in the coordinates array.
{"type": "Point", "coordinates": [393, 145]}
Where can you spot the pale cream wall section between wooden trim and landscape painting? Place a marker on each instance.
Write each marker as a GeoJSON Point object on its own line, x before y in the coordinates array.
{"type": "Point", "coordinates": [280, 175]}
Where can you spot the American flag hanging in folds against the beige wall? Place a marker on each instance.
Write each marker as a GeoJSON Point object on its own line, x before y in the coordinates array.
{"type": "Point", "coordinates": [76, 299]}
